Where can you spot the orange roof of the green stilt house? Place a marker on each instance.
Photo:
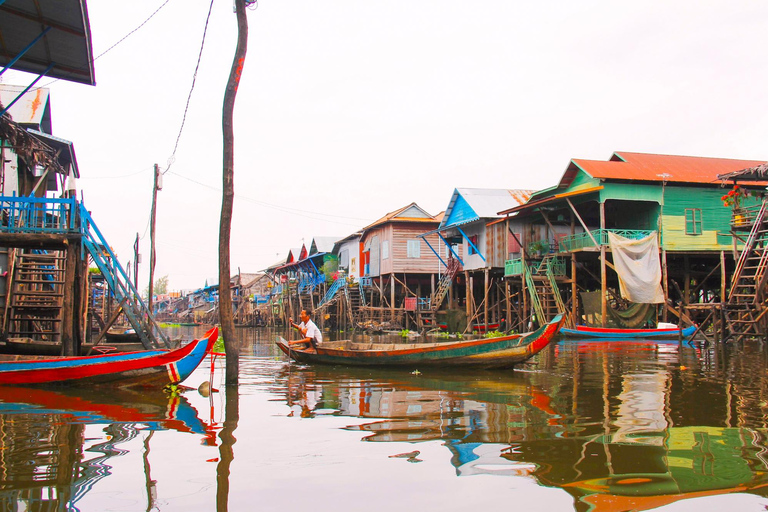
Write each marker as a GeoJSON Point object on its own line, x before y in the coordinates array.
{"type": "Point", "coordinates": [649, 167]}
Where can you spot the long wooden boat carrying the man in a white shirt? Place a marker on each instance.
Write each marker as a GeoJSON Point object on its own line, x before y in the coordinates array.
{"type": "Point", "coordinates": [500, 352]}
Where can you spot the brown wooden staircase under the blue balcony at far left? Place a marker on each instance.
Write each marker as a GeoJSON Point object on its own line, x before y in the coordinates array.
{"type": "Point", "coordinates": [36, 295]}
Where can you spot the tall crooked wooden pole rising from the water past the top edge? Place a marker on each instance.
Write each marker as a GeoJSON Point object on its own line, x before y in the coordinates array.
{"type": "Point", "coordinates": [227, 200]}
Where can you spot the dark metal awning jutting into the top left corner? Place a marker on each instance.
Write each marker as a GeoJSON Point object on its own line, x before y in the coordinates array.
{"type": "Point", "coordinates": [47, 37]}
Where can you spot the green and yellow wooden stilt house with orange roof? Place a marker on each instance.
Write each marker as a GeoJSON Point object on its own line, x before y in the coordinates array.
{"type": "Point", "coordinates": [677, 199]}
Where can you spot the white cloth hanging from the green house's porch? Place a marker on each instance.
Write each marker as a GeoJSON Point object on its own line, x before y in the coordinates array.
{"type": "Point", "coordinates": [639, 267]}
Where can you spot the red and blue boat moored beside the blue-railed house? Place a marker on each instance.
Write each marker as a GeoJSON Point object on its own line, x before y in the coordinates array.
{"type": "Point", "coordinates": [129, 369]}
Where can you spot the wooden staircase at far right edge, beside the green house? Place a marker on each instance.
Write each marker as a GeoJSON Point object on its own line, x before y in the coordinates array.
{"type": "Point", "coordinates": [746, 306]}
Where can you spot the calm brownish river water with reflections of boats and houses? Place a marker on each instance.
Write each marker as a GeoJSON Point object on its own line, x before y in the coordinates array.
{"type": "Point", "coordinates": [584, 427]}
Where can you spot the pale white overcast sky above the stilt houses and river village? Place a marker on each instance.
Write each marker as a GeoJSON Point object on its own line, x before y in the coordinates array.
{"type": "Point", "coordinates": [349, 109]}
